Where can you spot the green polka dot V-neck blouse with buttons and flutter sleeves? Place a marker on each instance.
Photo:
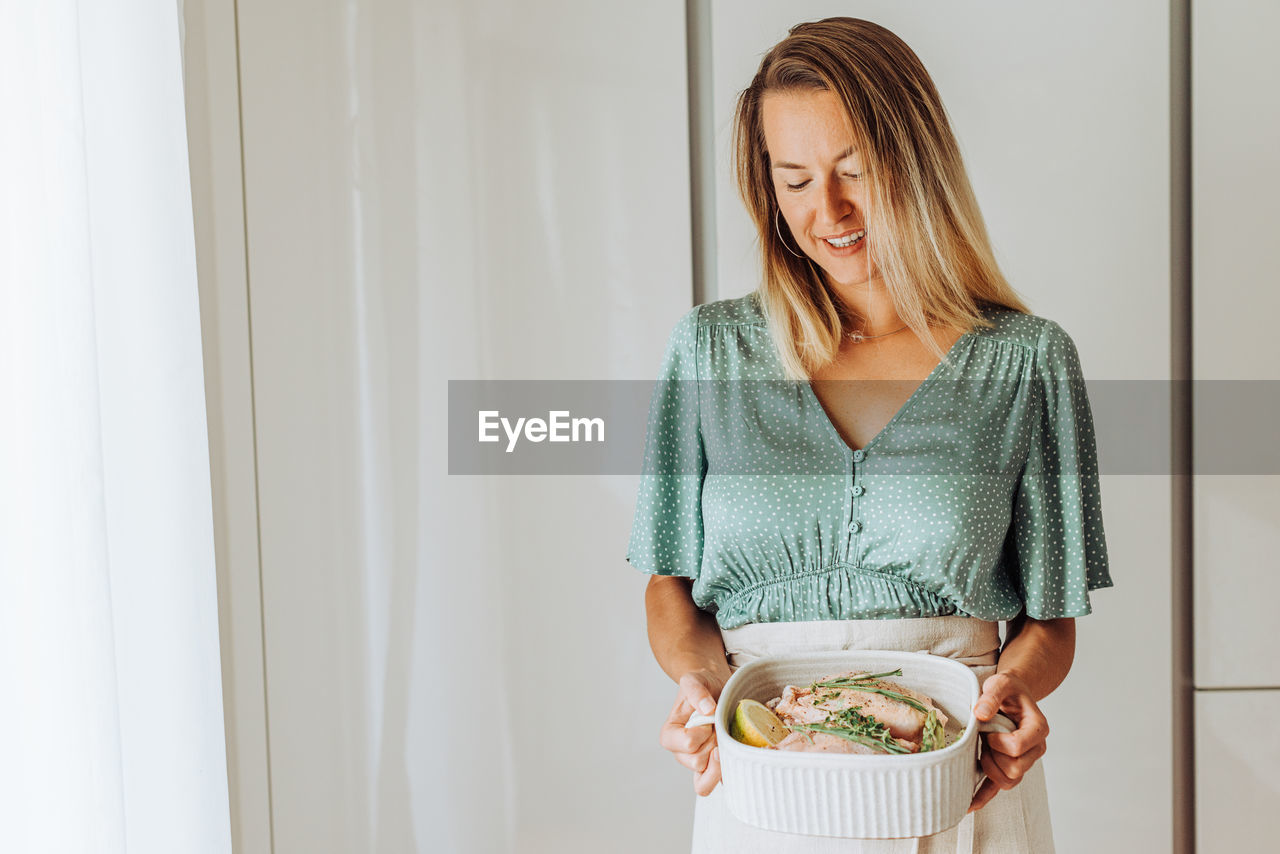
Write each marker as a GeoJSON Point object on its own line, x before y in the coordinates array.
{"type": "Point", "coordinates": [979, 499]}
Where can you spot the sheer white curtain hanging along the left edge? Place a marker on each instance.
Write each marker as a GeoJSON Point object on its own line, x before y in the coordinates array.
{"type": "Point", "coordinates": [112, 718]}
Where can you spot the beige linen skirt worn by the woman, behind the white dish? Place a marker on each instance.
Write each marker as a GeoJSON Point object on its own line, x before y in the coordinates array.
{"type": "Point", "coordinates": [1013, 823]}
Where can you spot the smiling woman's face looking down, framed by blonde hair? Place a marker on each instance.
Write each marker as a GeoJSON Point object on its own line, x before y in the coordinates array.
{"type": "Point", "coordinates": [819, 182]}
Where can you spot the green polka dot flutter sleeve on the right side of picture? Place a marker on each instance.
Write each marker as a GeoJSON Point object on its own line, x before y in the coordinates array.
{"type": "Point", "coordinates": [1057, 550]}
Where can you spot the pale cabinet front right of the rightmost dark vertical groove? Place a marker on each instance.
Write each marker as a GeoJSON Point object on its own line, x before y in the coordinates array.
{"type": "Point", "coordinates": [1236, 182]}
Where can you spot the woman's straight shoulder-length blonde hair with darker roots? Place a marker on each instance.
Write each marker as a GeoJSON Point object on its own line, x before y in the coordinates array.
{"type": "Point", "coordinates": [925, 230]}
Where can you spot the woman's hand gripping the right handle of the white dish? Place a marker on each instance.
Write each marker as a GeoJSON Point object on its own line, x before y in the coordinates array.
{"type": "Point", "coordinates": [1008, 756]}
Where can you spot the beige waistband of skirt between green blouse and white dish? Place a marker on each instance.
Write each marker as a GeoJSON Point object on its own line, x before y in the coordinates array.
{"type": "Point", "coordinates": [966, 640]}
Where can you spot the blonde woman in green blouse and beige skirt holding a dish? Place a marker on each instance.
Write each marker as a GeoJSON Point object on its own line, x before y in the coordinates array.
{"type": "Point", "coordinates": [820, 510]}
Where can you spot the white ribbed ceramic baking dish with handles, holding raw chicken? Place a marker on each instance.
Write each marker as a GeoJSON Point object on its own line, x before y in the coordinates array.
{"type": "Point", "coordinates": [852, 796]}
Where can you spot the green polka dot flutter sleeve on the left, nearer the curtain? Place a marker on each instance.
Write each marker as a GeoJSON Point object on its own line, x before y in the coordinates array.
{"type": "Point", "coordinates": [668, 531]}
